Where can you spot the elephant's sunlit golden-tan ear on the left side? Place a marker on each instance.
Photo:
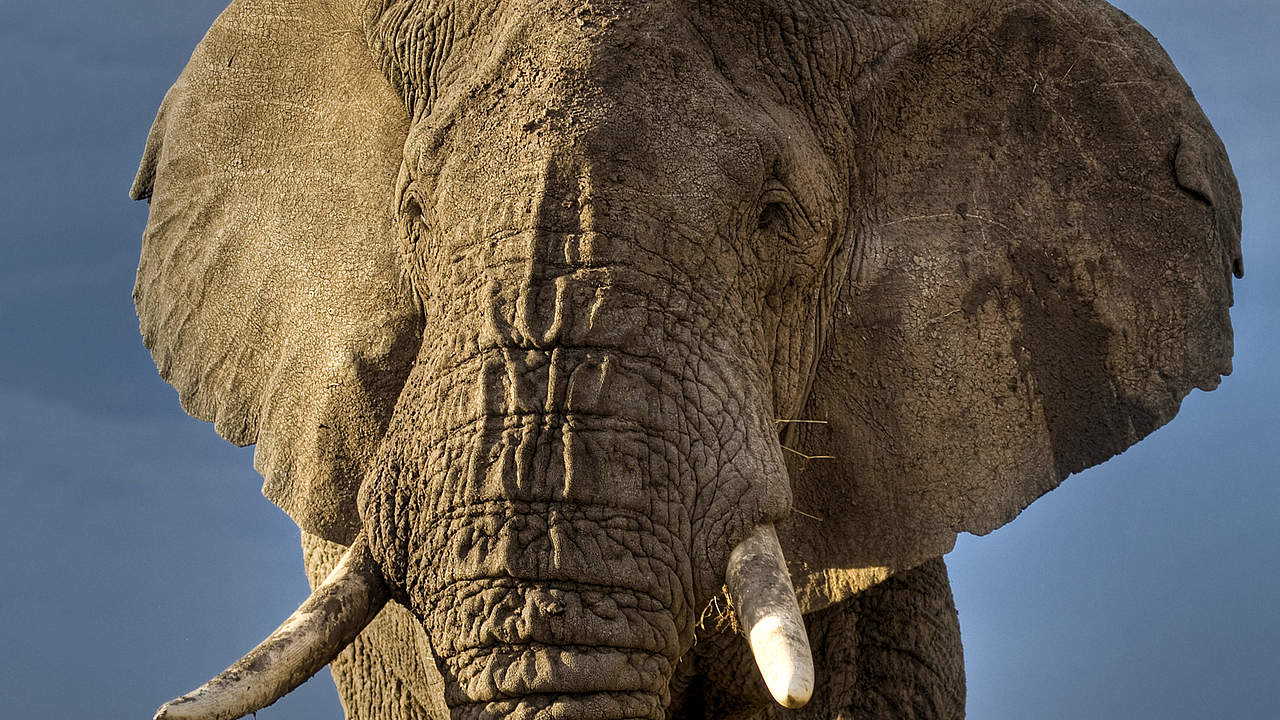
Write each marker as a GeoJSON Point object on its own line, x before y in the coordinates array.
{"type": "Point", "coordinates": [269, 288]}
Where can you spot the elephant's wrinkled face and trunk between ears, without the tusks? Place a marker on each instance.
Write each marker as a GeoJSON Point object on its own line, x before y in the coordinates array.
{"type": "Point", "coordinates": [619, 327]}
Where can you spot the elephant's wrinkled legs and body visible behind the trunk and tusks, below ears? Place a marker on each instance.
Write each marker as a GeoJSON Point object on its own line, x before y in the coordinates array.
{"type": "Point", "coordinates": [893, 651]}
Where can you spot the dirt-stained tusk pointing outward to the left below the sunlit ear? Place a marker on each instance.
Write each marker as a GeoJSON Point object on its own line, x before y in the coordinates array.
{"type": "Point", "coordinates": [318, 631]}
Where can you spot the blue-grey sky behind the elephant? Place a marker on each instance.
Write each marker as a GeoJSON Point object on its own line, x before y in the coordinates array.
{"type": "Point", "coordinates": [139, 559]}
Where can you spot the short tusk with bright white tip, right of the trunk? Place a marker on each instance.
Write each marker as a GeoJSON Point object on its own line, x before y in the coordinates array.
{"type": "Point", "coordinates": [761, 590]}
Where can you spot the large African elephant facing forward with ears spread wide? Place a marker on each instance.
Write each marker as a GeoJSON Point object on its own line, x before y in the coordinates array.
{"type": "Point", "coordinates": [554, 321]}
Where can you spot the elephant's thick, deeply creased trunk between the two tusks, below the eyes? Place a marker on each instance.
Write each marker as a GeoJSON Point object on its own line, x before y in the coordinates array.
{"type": "Point", "coordinates": [556, 512]}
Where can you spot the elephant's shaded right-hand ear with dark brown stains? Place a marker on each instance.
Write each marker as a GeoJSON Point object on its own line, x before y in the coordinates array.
{"type": "Point", "coordinates": [1044, 274]}
